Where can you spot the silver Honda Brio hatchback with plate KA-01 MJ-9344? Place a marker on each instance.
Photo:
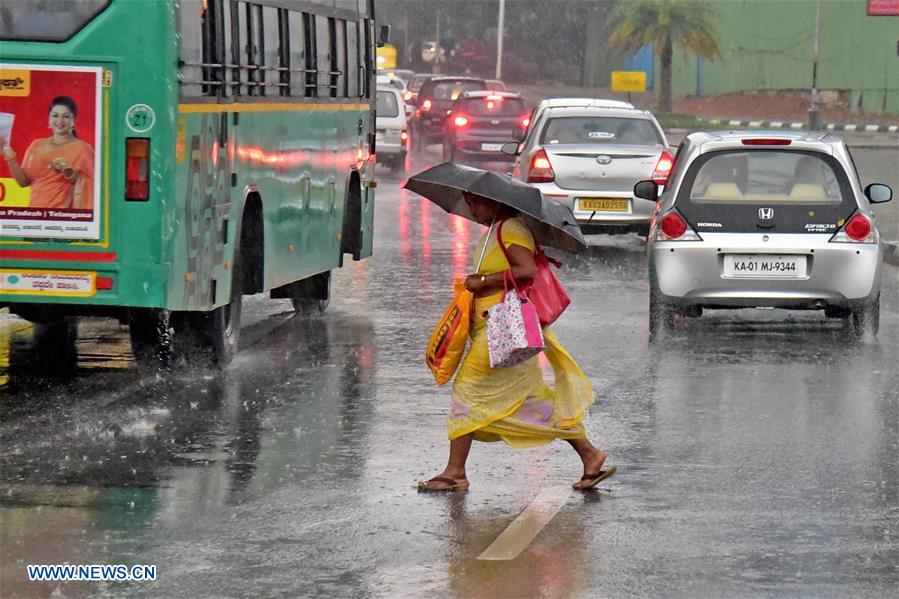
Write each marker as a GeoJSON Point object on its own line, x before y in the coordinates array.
{"type": "Point", "coordinates": [764, 220]}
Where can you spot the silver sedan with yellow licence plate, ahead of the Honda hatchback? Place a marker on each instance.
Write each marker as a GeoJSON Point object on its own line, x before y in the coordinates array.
{"type": "Point", "coordinates": [590, 157]}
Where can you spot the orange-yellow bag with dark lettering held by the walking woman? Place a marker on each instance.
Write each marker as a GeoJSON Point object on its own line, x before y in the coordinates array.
{"type": "Point", "coordinates": [448, 340]}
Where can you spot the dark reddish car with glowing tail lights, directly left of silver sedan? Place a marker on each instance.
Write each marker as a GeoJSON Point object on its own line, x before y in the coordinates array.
{"type": "Point", "coordinates": [481, 122]}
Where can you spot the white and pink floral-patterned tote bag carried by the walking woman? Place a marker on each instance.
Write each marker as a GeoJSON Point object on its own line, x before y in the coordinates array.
{"type": "Point", "coordinates": [513, 328]}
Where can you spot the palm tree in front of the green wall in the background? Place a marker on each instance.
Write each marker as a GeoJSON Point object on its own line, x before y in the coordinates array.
{"type": "Point", "coordinates": [688, 24]}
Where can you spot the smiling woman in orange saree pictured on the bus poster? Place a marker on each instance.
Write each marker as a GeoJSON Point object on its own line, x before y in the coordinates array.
{"type": "Point", "coordinates": [60, 168]}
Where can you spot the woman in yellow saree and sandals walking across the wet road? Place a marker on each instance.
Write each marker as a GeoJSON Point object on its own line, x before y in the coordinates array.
{"type": "Point", "coordinates": [513, 404]}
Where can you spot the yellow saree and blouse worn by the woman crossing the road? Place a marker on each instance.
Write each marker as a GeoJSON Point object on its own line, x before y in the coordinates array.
{"type": "Point", "coordinates": [516, 404]}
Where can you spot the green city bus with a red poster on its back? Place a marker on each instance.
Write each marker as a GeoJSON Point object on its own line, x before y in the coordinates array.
{"type": "Point", "coordinates": [161, 159]}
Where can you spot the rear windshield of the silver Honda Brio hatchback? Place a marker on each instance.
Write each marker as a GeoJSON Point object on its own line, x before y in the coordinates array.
{"type": "Point", "coordinates": [765, 177]}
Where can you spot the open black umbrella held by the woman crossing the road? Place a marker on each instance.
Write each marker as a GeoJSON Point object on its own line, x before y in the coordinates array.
{"type": "Point", "coordinates": [553, 224]}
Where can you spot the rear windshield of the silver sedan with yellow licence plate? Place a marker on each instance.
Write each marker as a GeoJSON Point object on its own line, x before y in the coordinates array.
{"type": "Point", "coordinates": [600, 130]}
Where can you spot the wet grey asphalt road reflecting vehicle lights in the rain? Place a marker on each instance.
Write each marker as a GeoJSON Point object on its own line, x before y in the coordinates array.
{"type": "Point", "coordinates": [758, 450]}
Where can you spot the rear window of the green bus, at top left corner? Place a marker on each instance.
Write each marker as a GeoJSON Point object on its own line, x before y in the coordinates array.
{"type": "Point", "coordinates": [46, 20]}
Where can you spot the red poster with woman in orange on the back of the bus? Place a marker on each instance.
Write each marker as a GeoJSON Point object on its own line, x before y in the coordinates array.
{"type": "Point", "coordinates": [50, 148]}
